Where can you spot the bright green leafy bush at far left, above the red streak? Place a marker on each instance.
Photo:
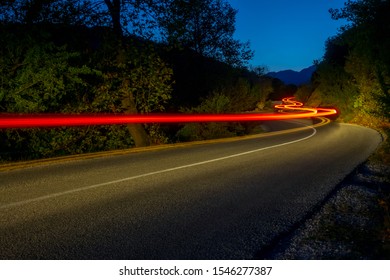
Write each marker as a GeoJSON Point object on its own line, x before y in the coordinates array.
{"type": "Point", "coordinates": [44, 81]}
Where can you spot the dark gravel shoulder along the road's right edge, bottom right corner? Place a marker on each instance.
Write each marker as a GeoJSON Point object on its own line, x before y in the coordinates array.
{"type": "Point", "coordinates": [354, 223]}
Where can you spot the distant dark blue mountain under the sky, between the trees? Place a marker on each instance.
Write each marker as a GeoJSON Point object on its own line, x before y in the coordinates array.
{"type": "Point", "coordinates": [293, 77]}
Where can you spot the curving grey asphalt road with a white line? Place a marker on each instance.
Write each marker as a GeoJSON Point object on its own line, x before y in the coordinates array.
{"type": "Point", "coordinates": [224, 200]}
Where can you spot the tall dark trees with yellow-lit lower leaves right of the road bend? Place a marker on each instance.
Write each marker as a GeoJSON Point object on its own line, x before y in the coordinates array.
{"type": "Point", "coordinates": [355, 70]}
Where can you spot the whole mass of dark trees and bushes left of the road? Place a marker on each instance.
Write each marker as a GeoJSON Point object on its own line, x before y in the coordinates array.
{"type": "Point", "coordinates": [111, 56]}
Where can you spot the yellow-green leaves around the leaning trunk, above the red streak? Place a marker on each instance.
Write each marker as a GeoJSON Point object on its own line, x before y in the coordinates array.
{"type": "Point", "coordinates": [148, 79]}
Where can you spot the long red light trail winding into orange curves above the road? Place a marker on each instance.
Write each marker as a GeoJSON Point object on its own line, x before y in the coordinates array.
{"type": "Point", "coordinates": [58, 120]}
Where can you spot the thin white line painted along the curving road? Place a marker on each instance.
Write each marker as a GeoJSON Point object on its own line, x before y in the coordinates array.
{"type": "Point", "coordinates": [54, 195]}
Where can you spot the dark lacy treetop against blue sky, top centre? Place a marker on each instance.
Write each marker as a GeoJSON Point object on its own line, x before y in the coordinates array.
{"type": "Point", "coordinates": [206, 26]}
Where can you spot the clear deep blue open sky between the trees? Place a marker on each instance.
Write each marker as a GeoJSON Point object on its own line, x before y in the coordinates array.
{"type": "Point", "coordinates": [286, 34]}
